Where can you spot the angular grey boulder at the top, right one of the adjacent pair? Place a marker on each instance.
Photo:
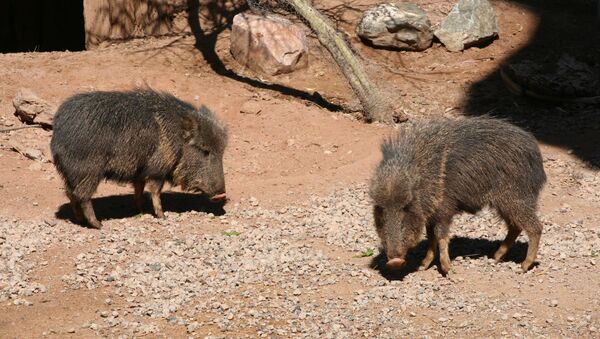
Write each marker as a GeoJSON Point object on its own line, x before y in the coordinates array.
{"type": "Point", "coordinates": [469, 23]}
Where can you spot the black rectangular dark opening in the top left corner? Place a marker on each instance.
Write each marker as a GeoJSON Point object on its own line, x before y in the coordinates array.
{"type": "Point", "coordinates": [41, 25]}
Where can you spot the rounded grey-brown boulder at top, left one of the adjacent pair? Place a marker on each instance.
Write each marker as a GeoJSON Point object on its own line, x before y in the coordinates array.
{"type": "Point", "coordinates": [403, 26]}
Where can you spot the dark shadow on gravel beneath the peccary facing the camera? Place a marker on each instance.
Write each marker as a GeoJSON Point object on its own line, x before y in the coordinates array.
{"type": "Point", "coordinates": [459, 247]}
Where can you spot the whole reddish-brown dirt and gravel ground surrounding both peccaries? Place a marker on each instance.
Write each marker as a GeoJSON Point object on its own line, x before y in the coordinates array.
{"type": "Point", "coordinates": [284, 165]}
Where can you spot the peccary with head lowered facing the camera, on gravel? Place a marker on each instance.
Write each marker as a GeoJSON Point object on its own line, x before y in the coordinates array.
{"type": "Point", "coordinates": [434, 170]}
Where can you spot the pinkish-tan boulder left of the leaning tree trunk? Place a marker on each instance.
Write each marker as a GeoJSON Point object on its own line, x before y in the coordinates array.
{"type": "Point", "coordinates": [268, 44]}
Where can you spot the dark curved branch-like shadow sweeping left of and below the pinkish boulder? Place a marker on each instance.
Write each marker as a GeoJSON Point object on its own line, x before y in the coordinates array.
{"type": "Point", "coordinates": [220, 17]}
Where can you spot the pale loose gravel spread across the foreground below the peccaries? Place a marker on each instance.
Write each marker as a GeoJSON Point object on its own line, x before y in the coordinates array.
{"type": "Point", "coordinates": [300, 271]}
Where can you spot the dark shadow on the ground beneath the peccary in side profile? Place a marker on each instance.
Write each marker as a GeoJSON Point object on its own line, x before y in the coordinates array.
{"type": "Point", "coordinates": [122, 206]}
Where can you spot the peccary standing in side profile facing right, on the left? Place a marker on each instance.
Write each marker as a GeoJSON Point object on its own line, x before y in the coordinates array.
{"type": "Point", "coordinates": [142, 137]}
